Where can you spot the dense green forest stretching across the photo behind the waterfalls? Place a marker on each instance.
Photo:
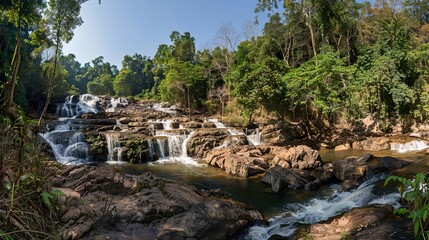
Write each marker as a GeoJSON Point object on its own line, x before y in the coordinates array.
{"type": "Point", "coordinates": [315, 61]}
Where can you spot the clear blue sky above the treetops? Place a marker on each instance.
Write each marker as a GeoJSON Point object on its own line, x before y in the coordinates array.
{"type": "Point", "coordinates": [119, 27]}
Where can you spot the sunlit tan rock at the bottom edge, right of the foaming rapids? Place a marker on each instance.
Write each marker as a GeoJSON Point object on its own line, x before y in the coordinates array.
{"type": "Point", "coordinates": [353, 220]}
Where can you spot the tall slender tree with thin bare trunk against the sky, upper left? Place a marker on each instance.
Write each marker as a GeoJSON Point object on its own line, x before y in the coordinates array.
{"type": "Point", "coordinates": [62, 17]}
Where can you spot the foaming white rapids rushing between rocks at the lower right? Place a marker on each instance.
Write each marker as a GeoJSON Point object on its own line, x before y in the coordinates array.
{"type": "Point", "coordinates": [320, 209]}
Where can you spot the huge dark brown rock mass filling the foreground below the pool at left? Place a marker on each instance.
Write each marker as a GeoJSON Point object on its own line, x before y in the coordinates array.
{"type": "Point", "coordinates": [105, 201]}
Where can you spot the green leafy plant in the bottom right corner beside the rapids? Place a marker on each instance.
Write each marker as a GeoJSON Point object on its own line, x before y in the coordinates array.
{"type": "Point", "coordinates": [418, 202]}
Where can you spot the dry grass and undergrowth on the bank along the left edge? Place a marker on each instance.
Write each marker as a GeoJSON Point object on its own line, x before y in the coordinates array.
{"type": "Point", "coordinates": [27, 204]}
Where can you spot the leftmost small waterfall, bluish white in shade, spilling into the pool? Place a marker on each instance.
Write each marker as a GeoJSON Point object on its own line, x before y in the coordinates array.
{"type": "Point", "coordinates": [68, 146]}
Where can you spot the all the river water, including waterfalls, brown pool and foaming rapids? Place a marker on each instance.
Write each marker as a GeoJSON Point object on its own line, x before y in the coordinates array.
{"type": "Point", "coordinates": [284, 210]}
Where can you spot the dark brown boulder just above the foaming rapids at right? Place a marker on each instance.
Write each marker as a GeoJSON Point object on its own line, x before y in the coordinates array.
{"type": "Point", "coordinates": [352, 171]}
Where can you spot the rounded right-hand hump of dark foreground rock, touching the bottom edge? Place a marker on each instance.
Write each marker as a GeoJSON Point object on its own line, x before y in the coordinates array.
{"type": "Point", "coordinates": [215, 219]}
